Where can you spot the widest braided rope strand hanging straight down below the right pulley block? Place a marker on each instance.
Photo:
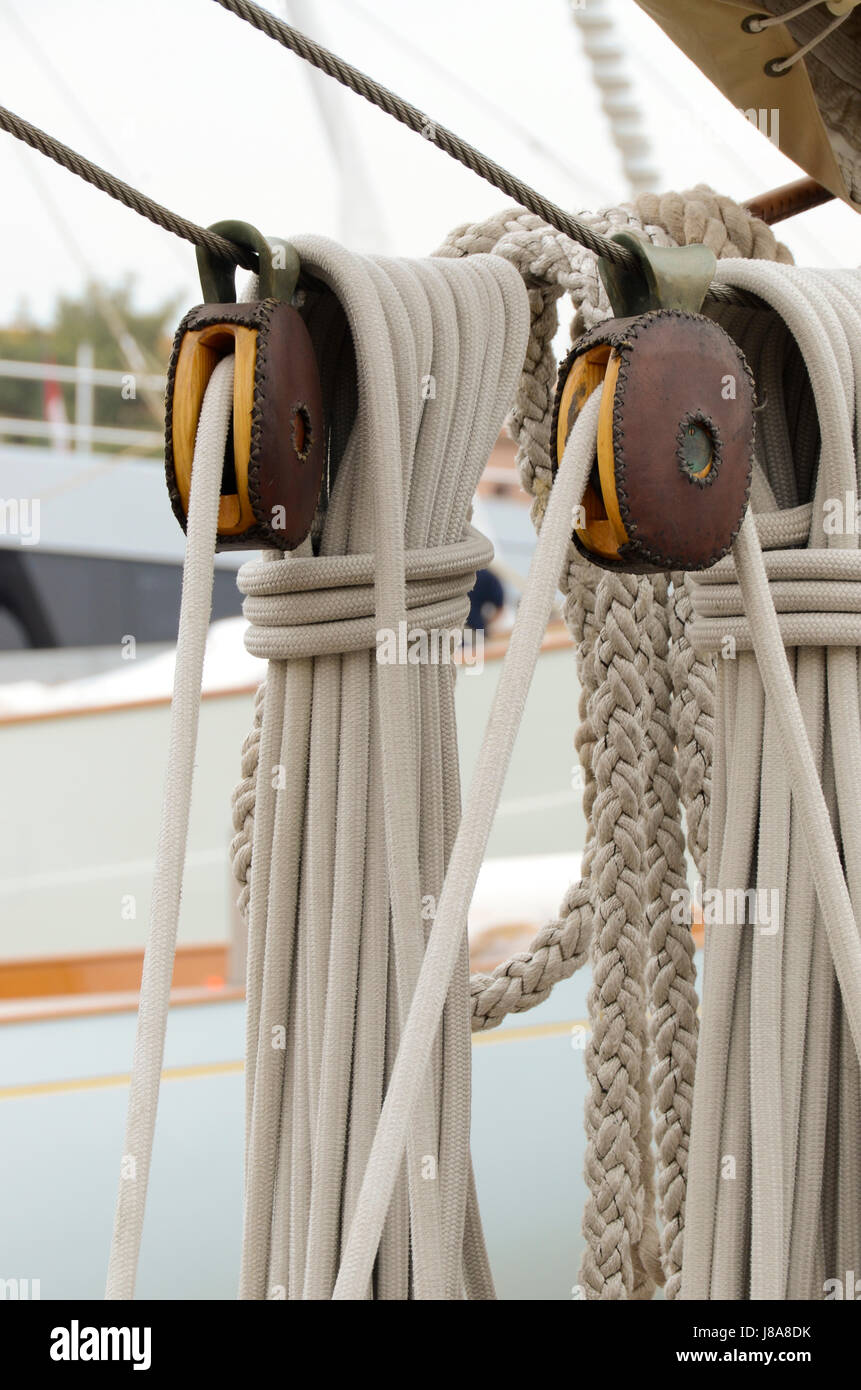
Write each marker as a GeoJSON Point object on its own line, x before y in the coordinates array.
{"type": "Point", "coordinates": [617, 1061]}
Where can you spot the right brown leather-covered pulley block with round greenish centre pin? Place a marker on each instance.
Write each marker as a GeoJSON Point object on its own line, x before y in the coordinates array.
{"type": "Point", "coordinates": [671, 482]}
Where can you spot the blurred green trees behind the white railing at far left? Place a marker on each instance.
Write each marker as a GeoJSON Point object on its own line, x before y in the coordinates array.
{"type": "Point", "coordinates": [97, 318]}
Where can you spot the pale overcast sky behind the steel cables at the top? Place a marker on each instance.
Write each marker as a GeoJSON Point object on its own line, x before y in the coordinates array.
{"type": "Point", "coordinates": [215, 120]}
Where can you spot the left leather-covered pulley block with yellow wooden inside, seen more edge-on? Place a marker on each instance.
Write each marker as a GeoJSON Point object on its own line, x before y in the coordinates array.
{"type": "Point", "coordinates": [276, 450]}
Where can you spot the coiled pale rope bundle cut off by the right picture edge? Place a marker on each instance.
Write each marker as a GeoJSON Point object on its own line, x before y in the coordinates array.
{"type": "Point", "coordinates": [773, 1203]}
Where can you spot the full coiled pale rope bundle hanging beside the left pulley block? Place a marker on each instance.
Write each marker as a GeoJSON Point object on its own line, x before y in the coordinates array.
{"type": "Point", "coordinates": [360, 744]}
